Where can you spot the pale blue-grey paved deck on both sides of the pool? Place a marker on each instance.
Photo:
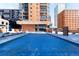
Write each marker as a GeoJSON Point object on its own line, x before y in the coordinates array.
{"type": "Point", "coordinates": [72, 37]}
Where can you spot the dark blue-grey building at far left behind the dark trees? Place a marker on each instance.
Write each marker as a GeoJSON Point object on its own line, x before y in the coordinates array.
{"type": "Point", "coordinates": [7, 14]}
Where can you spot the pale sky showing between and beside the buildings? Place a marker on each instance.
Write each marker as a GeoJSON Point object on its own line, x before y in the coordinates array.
{"type": "Point", "coordinates": [51, 8]}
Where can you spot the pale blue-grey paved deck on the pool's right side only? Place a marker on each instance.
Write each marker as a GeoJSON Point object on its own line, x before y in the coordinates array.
{"type": "Point", "coordinates": [72, 37]}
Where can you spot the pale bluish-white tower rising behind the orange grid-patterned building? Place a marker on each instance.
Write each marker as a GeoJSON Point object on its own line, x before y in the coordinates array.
{"type": "Point", "coordinates": [58, 8]}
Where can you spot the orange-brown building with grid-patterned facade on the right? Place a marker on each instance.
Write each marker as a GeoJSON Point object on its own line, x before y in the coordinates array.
{"type": "Point", "coordinates": [70, 19]}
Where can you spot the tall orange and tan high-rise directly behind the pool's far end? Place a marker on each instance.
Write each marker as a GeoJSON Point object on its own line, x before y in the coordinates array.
{"type": "Point", "coordinates": [34, 17]}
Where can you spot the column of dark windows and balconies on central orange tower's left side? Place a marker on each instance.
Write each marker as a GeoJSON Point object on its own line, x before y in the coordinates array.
{"type": "Point", "coordinates": [23, 7]}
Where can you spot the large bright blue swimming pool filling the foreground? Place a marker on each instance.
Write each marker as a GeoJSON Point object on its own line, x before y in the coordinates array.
{"type": "Point", "coordinates": [38, 45]}
